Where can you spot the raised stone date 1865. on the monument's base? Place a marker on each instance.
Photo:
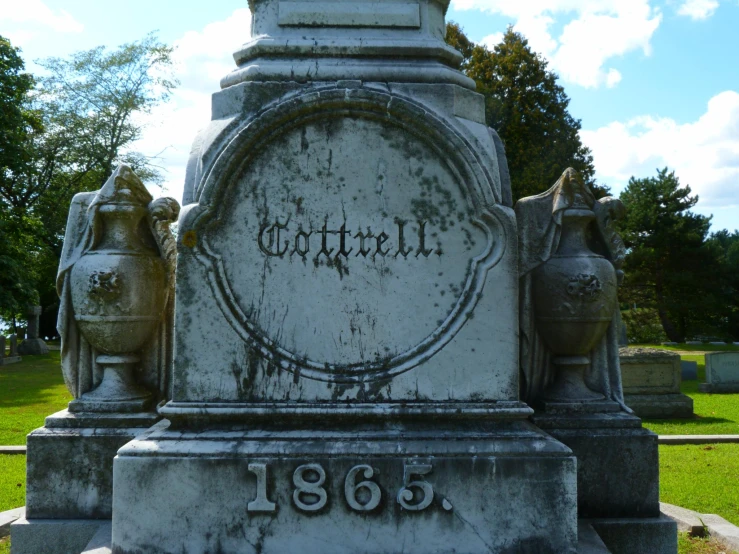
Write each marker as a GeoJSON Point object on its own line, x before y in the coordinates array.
{"type": "Point", "coordinates": [361, 492]}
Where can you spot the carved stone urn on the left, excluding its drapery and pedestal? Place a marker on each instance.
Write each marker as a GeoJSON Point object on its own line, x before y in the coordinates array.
{"type": "Point", "coordinates": [118, 293]}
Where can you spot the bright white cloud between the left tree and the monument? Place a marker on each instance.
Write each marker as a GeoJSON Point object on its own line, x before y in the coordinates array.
{"type": "Point", "coordinates": [202, 58]}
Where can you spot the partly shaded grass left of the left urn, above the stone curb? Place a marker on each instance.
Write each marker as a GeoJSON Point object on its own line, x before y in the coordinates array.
{"type": "Point", "coordinates": [29, 391]}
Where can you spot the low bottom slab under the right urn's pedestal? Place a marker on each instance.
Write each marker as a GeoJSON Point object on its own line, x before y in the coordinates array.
{"type": "Point", "coordinates": [657, 535]}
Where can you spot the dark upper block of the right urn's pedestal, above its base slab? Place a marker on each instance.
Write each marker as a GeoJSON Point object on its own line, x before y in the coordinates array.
{"type": "Point", "coordinates": [617, 468]}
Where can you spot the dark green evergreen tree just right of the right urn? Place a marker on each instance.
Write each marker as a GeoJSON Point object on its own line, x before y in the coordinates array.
{"type": "Point", "coordinates": [670, 266]}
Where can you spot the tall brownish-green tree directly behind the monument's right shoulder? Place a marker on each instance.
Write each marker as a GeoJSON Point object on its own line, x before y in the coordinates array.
{"type": "Point", "coordinates": [529, 110]}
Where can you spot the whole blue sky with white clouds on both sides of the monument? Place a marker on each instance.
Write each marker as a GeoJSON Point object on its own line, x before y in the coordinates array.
{"type": "Point", "coordinates": [655, 82]}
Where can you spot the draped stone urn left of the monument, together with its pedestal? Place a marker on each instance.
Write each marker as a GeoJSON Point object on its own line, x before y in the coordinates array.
{"type": "Point", "coordinates": [115, 282]}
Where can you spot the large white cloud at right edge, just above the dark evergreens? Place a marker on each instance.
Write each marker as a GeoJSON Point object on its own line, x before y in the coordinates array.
{"type": "Point", "coordinates": [704, 153]}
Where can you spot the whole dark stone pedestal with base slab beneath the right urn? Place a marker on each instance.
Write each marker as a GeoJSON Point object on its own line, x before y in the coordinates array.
{"type": "Point", "coordinates": [617, 475]}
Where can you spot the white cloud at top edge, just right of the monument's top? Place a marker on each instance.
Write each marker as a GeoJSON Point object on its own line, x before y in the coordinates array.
{"type": "Point", "coordinates": [598, 31]}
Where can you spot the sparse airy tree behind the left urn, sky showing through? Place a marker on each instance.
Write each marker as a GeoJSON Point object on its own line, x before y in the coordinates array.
{"type": "Point", "coordinates": [86, 108]}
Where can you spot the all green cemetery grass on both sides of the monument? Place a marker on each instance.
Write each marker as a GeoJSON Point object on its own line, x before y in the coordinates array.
{"type": "Point", "coordinates": [703, 478]}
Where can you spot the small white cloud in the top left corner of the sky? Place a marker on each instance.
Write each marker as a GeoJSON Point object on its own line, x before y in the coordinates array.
{"type": "Point", "coordinates": [28, 16]}
